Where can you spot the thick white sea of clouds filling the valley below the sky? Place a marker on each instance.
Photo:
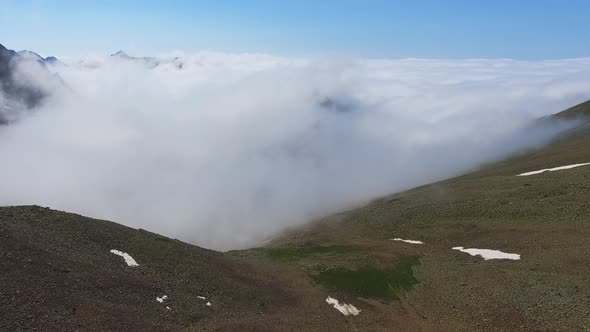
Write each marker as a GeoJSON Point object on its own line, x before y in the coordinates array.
{"type": "Point", "coordinates": [227, 149]}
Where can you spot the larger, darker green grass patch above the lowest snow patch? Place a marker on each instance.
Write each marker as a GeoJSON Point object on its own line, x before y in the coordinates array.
{"type": "Point", "coordinates": [369, 282]}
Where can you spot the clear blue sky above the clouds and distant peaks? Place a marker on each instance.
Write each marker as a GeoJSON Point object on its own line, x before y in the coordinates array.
{"type": "Point", "coordinates": [522, 29]}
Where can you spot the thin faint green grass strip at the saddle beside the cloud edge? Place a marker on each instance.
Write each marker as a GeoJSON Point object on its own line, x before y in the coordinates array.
{"type": "Point", "coordinates": [293, 254]}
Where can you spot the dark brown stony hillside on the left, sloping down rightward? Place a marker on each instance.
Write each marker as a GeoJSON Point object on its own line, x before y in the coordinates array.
{"type": "Point", "coordinates": [58, 274]}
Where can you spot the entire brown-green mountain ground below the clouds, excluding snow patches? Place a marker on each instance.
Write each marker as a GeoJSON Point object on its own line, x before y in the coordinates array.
{"type": "Point", "coordinates": [57, 272]}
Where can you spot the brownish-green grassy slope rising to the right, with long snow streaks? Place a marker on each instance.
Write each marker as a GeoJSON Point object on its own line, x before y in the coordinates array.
{"type": "Point", "coordinates": [545, 218]}
